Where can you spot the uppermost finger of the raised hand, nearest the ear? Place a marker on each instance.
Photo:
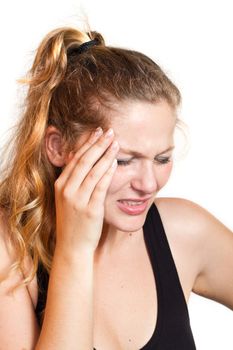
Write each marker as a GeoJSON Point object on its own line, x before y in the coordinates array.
{"type": "Point", "coordinates": [74, 156]}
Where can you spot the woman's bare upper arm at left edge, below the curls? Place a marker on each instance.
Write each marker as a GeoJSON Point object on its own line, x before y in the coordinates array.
{"type": "Point", "coordinates": [17, 314]}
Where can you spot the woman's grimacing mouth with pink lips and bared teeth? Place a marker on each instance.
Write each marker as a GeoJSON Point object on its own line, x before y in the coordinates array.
{"type": "Point", "coordinates": [133, 206]}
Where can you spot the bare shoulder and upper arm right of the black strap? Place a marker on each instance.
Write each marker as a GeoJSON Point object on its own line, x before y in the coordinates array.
{"type": "Point", "coordinates": [209, 242]}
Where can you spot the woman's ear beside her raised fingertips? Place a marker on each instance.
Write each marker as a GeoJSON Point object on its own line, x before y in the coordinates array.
{"type": "Point", "coordinates": [54, 146]}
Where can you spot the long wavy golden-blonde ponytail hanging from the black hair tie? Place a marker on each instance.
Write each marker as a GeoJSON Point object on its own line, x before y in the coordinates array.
{"type": "Point", "coordinates": [26, 192]}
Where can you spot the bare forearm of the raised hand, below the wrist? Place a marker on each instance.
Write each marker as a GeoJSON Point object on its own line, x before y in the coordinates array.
{"type": "Point", "coordinates": [68, 321]}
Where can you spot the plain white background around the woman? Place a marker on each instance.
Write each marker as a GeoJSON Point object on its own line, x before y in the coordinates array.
{"type": "Point", "coordinates": [192, 41]}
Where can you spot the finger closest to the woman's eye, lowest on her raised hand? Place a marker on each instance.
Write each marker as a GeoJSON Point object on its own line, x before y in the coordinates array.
{"type": "Point", "coordinates": [87, 187]}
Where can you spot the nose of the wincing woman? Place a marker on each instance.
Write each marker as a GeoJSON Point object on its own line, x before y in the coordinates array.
{"type": "Point", "coordinates": [145, 179]}
